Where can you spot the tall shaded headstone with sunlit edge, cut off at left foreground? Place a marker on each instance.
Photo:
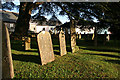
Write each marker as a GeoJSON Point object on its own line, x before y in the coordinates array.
{"type": "Point", "coordinates": [7, 64]}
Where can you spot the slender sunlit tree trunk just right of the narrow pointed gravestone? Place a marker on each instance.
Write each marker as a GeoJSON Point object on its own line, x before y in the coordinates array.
{"type": "Point", "coordinates": [74, 48]}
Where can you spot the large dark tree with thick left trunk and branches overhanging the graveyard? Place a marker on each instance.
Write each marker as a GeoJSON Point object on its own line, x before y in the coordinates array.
{"type": "Point", "coordinates": [83, 12]}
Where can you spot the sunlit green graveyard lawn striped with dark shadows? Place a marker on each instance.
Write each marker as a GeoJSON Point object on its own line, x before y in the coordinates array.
{"type": "Point", "coordinates": [88, 62]}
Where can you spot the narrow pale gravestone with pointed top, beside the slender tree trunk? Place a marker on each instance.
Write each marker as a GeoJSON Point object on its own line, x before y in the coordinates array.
{"type": "Point", "coordinates": [62, 43]}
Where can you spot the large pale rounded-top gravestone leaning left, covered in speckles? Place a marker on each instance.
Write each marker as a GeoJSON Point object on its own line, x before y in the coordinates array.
{"type": "Point", "coordinates": [45, 47]}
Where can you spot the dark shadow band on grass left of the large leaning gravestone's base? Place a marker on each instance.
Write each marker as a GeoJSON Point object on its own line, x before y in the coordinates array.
{"type": "Point", "coordinates": [27, 58]}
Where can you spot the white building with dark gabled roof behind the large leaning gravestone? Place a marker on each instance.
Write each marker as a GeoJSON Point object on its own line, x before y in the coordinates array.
{"type": "Point", "coordinates": [39, 22]}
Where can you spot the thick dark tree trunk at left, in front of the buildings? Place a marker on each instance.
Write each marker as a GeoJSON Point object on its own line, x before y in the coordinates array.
{"type": "Point", "coordinates": [22, 24]}
